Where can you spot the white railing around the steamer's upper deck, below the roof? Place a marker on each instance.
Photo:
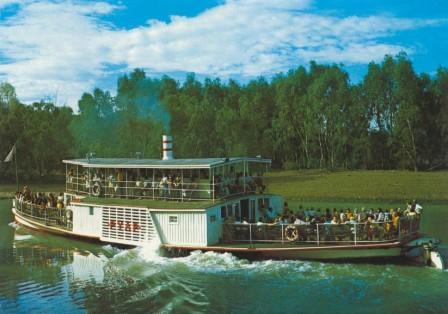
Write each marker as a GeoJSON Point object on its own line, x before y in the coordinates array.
{"type": "Point", "coordinates": [185, 190]}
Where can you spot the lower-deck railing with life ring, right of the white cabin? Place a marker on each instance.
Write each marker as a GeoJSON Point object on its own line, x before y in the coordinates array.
{"type": "Point", "coordinates": [321, 233]}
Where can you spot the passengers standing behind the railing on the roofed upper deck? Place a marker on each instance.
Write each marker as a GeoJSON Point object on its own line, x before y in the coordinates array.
{"type": "Point", "coordinates": [165, 185]}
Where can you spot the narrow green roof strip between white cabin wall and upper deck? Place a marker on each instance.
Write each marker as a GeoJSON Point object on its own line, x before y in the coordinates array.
{"type": "Point", "coordinates": [148, 203]}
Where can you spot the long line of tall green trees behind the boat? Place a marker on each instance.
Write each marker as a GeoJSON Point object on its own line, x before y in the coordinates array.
{"type": "Point", "coordinates": [307, 118]}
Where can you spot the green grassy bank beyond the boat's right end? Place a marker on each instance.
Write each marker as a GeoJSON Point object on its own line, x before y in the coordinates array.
{"type": "Point", "coordinates": [395, 186]}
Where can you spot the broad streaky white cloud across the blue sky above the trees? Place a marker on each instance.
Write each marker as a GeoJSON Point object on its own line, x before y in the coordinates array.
{"type": "Point", "coordinates": [63, 48]}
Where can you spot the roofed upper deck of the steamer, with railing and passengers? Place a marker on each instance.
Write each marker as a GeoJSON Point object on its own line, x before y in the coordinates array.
{"type": "Point", "coordinates": [174, 179]}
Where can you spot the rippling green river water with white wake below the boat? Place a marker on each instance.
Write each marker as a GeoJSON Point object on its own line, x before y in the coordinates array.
{"type": "Point", "coordinates": [47, 273]}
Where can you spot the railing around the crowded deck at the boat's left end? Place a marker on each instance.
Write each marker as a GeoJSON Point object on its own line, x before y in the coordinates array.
{"type": "Point", "coordinates": [49, 216]}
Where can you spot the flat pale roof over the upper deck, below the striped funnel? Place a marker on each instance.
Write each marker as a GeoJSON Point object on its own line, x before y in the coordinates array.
{"type": "Point", "coordinates": [196, 163]}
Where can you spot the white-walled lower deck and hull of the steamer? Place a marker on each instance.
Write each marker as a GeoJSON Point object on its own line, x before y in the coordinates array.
{"type": "Point", "coordinates": [209, 230]}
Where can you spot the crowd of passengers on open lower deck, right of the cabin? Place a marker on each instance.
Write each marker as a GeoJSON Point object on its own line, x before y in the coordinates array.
{"type": "Point", "coordinates": [339, 224]}
